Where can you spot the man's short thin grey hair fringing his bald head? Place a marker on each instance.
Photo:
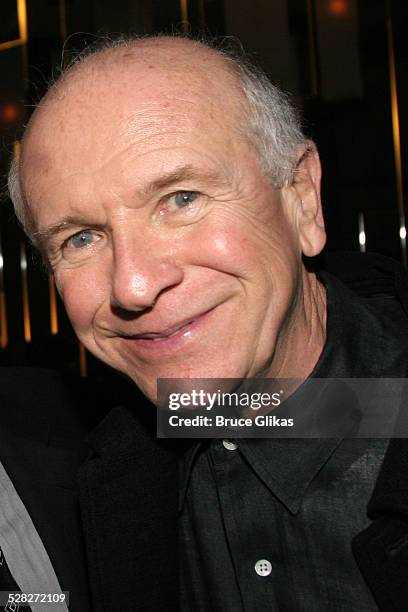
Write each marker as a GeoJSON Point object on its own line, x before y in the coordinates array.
{"type": "Point", "coordinates": [270, 121]}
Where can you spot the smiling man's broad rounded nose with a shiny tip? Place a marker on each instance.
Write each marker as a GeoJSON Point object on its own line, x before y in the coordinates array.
{"type": "Point", "coordinates": [141, 272]}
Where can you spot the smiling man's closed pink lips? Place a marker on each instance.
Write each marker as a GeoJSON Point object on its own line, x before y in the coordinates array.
{"type": "Point", "coordinates": [172, 337]}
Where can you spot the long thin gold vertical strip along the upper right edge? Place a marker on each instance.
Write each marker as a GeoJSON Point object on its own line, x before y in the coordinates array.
{"type": "Point", "coordinates": [396, 133]}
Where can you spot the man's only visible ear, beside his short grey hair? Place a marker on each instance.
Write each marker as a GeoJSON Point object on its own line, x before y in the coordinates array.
{"type": "Point", "coordinates": [306, 184]}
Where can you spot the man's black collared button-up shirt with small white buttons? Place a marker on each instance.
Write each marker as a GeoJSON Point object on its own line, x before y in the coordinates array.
{"type": "Point", "coordinates": [268, 525]}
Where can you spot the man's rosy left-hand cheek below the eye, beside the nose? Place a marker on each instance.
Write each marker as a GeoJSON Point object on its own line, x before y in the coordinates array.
{"type": "Point", "coordinates": [82, 295]}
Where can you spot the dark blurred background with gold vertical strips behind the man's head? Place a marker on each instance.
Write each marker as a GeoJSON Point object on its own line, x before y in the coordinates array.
{"type": "Point", "coordinates": [345, 62]}
